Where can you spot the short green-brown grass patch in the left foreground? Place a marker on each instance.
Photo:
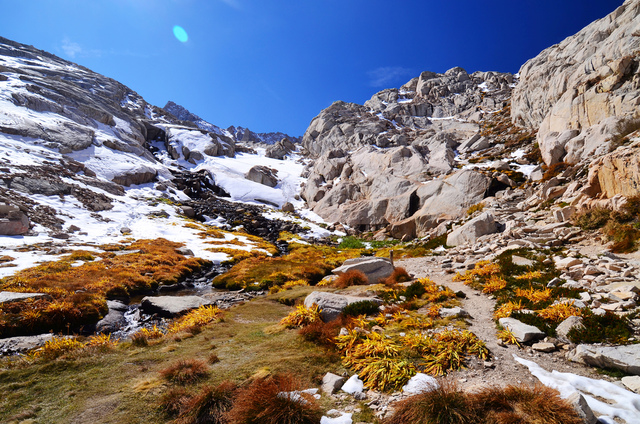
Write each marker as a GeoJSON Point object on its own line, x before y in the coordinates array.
{"type": "Point", "coordinates": [126, 386]}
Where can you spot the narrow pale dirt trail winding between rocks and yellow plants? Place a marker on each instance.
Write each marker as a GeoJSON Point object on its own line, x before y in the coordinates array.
{"type": "Point", "coordinates": [480, 307]}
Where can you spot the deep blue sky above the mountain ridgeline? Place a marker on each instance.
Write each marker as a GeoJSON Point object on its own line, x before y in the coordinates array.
{"type": "Point", "coordinates": [272, 65]}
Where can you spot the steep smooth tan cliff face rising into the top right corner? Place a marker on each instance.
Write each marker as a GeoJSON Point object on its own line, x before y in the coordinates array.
{"type": "Point", "coordinates": [583, 93]}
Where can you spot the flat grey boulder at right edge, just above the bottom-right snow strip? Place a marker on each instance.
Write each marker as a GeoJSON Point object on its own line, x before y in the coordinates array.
{"type": "Point", "coordinates": [625, 358]}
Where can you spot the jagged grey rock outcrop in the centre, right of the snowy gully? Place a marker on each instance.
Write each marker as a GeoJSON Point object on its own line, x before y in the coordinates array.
{"type": "Point", "coordinates": [384, 164]}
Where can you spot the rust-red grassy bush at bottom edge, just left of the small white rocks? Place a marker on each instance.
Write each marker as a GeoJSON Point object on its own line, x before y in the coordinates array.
{"type": "Point", "coordinates": [276, 400]}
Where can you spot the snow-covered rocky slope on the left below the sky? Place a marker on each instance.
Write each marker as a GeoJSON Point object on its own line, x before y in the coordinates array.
{"type": "Point", "coordinates": [89, 162]}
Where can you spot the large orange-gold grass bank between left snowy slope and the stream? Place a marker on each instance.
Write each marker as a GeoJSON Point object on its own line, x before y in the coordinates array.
{"type": "Point", "coordinates": [77, 294]}
